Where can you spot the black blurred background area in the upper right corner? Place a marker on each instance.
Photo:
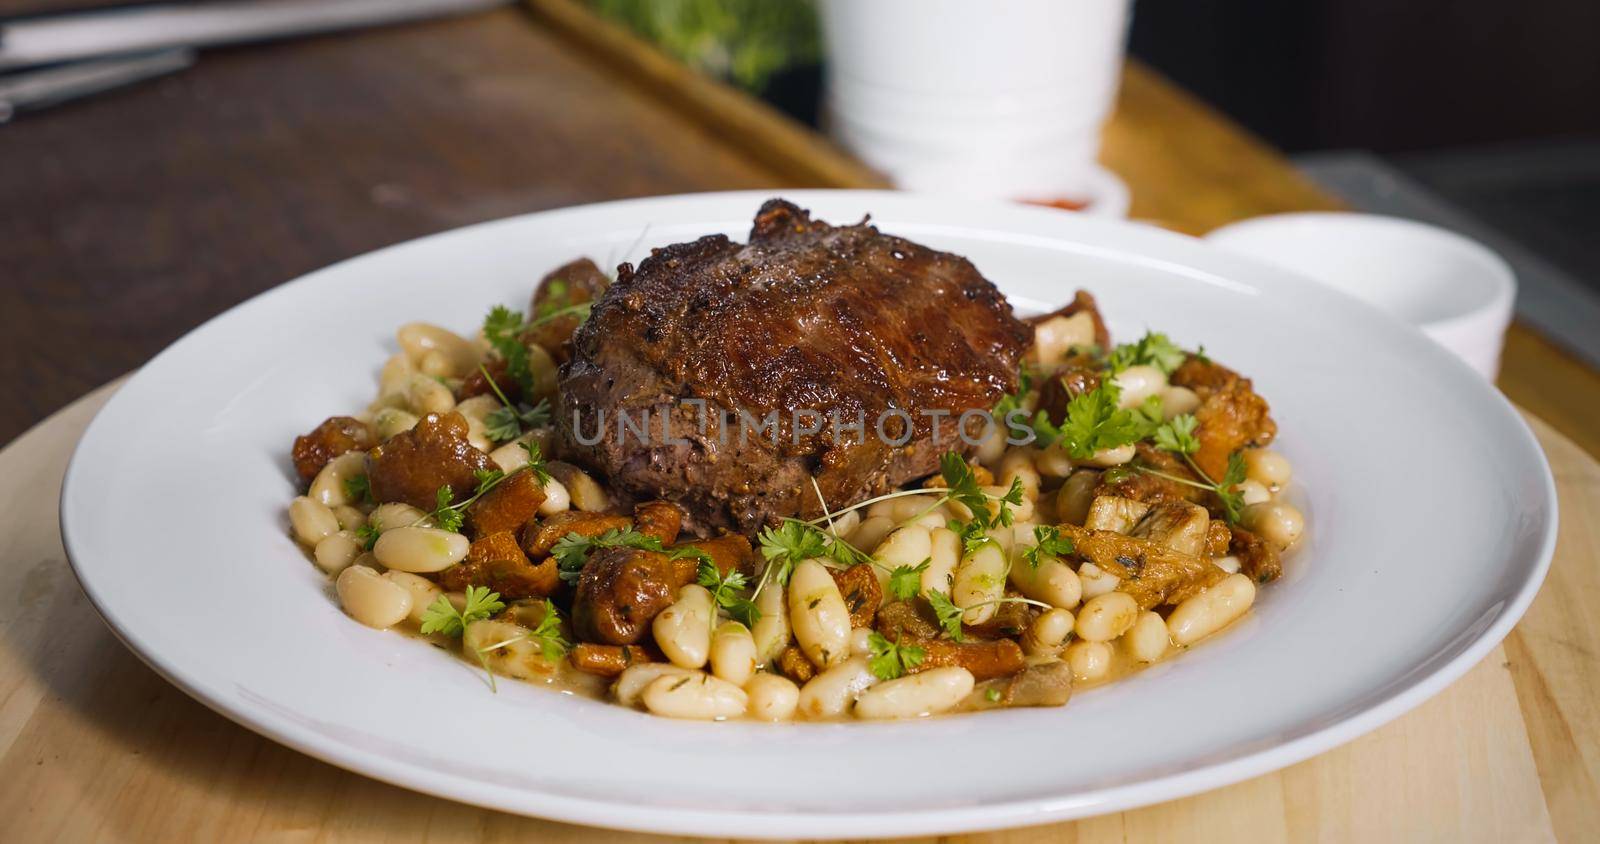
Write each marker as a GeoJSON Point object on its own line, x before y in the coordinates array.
{"type": "Point", "coordinates": [1391, 76]}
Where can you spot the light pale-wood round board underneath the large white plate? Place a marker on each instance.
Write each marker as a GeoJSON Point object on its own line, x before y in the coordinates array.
{"type": "Point", "coordinates": [95, 746]}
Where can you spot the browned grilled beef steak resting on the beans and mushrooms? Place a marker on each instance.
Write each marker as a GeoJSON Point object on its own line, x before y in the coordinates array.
{"type": "Point", "coordinates": [844, 322]}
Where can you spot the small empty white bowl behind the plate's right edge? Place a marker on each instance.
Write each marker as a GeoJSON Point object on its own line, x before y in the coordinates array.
{"type": "Point", "coordinates": [1450, 287]}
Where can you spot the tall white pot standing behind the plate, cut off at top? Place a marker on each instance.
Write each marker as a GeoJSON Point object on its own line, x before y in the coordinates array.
{"type": "Point", "coordinates": [983, 100]}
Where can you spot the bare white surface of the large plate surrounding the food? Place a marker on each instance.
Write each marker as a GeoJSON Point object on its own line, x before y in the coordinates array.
{"type": "Point", "coordinates": [1431, 511]}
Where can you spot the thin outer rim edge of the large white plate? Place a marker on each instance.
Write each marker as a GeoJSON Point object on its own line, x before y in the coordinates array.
{"type": "Point", "coordinates": [786, 824]}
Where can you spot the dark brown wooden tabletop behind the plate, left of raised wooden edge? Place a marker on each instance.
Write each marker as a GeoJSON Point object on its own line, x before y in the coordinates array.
{"type": "Point", "coordinates": [130, 218]}
